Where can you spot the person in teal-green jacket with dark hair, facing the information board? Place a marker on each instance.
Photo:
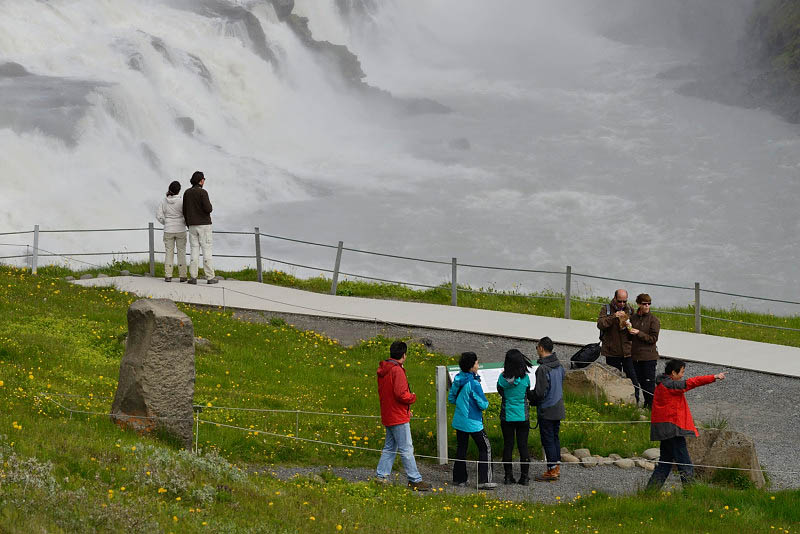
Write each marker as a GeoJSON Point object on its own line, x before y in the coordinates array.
{"type": "Point", "coordinates": [513, 385]}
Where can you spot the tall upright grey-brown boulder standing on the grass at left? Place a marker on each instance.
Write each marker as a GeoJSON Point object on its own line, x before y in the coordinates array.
{"type": "Point", "coordinates": [156, 375]}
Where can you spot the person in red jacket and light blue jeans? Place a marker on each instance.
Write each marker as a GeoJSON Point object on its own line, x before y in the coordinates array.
{"type": "Point", "coordinates": [396, 400]}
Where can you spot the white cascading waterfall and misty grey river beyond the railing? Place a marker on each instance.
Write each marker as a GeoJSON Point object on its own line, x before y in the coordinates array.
{"type": "Point", "coordinates": [563, 147]}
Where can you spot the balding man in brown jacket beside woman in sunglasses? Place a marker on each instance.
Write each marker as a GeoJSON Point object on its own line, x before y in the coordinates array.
{"type": "Point", "coordinates": [613, 323]}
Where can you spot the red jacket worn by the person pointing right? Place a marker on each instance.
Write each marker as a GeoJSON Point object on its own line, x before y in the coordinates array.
{"type": "Point", "coordinates": [671, 416]}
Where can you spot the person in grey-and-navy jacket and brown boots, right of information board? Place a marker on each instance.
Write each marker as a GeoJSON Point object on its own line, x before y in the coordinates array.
{"type": "Point", "coordinates": [548, 396]}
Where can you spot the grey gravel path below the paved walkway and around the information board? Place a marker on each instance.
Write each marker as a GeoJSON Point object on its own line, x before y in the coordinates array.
{"type": "Point", "coordinates": [763, 406]}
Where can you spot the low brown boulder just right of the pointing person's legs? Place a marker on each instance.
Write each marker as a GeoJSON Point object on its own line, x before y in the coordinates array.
{"type": "Point", "coordinates": [724, 448]}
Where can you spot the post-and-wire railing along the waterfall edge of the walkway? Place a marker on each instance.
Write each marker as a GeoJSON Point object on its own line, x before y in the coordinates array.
{"type": "Point", "coordinates": [34, 252]}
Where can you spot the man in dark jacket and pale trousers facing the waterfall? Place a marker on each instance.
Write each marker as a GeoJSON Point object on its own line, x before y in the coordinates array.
{"type": "Point", "coordinates": [197, 212]}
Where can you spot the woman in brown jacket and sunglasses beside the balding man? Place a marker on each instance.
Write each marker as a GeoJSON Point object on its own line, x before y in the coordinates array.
{"type": "Point", "coordinates": [644, 334]}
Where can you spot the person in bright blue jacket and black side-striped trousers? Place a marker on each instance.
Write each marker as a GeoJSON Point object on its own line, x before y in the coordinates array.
{"type": "Point", "coordinates": [467, 394]}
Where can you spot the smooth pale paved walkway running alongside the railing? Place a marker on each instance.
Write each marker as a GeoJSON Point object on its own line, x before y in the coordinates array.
{"type": "Point", "coordinates": [776, 359]}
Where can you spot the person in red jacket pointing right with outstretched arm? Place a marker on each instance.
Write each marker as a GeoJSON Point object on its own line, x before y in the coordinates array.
{"type": "Point", "coordinates": [671, 421]}
